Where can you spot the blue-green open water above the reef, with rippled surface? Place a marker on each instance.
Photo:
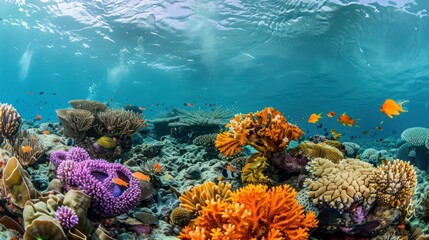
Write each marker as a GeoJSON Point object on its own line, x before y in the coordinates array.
{"type": "Point", "coordinates": [298, 56]}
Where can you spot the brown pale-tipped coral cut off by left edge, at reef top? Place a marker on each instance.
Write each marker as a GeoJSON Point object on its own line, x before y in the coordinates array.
{"type": "Point", "coordinates": [10, 121]}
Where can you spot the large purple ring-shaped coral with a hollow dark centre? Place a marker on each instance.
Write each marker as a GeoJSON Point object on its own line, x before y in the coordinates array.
{"type": "Point", "coordinates": [95, 178]}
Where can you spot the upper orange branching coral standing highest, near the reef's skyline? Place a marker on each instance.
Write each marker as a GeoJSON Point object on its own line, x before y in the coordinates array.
{"type": "Point", "coordinates": [267, 131]}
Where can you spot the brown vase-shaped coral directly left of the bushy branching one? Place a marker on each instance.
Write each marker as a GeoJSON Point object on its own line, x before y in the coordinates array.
{"type": "Point", "coordinates": [76, 122]}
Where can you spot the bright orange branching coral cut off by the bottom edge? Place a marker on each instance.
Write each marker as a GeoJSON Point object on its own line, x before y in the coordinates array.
{"type": "Point", "coordinates": [255, 212]}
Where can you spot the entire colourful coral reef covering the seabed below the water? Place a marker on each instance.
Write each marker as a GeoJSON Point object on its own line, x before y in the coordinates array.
{"type": "Point", "coordinates": [111, 174]}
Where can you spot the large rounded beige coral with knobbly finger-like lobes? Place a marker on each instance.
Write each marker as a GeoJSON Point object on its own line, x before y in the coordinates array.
{"type": "Point", "coordinates": [343, 186]}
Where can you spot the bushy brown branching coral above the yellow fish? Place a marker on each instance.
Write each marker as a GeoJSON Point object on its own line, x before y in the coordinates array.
{"type": "Point", "coordinates": [118, 123]}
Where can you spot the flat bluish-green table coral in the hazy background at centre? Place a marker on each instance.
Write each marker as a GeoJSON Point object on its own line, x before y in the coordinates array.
{"type": "Point", "coordinates": [200, 118]}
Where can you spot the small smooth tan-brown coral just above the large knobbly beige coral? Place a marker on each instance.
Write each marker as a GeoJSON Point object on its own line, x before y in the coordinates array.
{"type": "Point", "coordinates": [314, 150]}
